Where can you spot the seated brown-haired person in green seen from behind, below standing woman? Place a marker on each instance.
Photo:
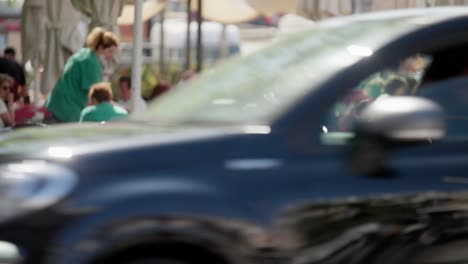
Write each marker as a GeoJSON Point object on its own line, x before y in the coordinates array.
{"type": "Point", "coordinates": [100, 95]}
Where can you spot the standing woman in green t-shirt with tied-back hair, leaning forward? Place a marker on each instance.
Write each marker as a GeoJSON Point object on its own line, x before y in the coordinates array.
{"type": "Point", "coordinates": [70, 94]}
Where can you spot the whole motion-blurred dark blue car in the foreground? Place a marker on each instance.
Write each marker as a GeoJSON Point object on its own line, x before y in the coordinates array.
{"type": "Point", "coordinates": [343, 144]}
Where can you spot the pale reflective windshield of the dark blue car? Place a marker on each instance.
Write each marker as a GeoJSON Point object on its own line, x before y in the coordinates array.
{"type": "Point", "coordinates": [260, 87]}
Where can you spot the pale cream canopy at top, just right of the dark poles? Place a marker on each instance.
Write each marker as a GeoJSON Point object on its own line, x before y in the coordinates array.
{"type": "Point", "coordinates": [226, 11]}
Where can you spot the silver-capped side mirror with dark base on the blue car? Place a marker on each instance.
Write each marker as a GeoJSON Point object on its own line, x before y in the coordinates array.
{"type": "Point", "coordinates": [393, 122]}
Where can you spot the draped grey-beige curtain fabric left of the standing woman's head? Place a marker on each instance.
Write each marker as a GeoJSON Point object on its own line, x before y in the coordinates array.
{"type": "Point", "coordinates": [46, 41]}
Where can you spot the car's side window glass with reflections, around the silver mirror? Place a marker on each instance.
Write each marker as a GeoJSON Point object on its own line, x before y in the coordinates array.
{"type": "Point", "coordinates": [431, 77]}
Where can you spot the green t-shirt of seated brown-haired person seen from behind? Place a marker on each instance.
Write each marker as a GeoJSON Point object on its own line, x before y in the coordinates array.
{"type": "Point", "coordinates": [103, 112]}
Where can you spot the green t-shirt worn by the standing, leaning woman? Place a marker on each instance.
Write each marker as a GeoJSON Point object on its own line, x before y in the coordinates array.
{"type": "Point", "coordinates": [70, 94]}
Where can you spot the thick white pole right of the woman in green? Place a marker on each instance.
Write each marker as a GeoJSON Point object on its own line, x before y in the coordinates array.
{"type": "Point", "coordinates": [137, 54]}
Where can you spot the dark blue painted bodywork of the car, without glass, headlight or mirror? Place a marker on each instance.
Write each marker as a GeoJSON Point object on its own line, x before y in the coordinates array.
{"type": "Point", "coordinates": [303, 206]}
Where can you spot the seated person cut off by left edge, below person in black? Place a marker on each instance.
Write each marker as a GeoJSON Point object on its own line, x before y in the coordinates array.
{"type": "Point", "coordinates": [7, 114]}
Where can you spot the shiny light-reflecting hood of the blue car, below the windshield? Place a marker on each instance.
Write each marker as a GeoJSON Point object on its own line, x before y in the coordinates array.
{"type": "Point", "coordinates": [57, 140]}
